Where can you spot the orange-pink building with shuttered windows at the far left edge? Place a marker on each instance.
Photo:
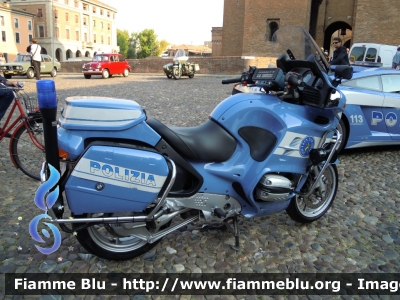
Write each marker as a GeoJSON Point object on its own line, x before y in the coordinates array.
{"type": "Point", "coordinates": [16, 30]}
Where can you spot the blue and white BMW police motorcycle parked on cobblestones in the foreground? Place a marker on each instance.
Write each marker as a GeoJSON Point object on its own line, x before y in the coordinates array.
{"type": "Point", "coordinates": [260, 153]}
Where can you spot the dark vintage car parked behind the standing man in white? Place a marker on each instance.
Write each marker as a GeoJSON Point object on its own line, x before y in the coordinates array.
{"type": "Point", "coordinates": [21, 66]}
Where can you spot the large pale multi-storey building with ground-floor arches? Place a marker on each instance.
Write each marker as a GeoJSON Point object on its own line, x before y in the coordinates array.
{"type": "Point", "coordinates": [72, 29]}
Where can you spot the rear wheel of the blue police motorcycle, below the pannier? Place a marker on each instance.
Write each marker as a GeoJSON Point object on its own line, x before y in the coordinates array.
{"type": "Point", "coordinates": [102, 241]}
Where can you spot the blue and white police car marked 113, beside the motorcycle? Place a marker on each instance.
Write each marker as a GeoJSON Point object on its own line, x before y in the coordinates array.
{"type": "Point", "coordinates": [372, 115]}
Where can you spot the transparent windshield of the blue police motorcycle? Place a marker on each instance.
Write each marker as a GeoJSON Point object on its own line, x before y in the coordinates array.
{"type": "Point", "coordinates": [299, 45]}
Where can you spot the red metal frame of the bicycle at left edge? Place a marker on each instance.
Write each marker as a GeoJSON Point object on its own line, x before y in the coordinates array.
{"type": "Point", "coordinates": [23, 120]}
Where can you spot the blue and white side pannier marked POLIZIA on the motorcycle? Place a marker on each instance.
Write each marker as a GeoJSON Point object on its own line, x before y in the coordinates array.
{"type": "Point", "coordinates": [113, 179]}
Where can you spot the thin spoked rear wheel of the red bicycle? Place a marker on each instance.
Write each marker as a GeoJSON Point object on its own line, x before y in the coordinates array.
{"type": "Point", "coordinates": [28, 156]}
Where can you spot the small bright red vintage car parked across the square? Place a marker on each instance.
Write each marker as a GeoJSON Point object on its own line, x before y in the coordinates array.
{"type": "Point", "coordinates": [106, 65]}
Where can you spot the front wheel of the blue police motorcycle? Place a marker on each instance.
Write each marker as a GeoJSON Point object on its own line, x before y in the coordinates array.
{"type": "Point", "coordinates": [306, 209]}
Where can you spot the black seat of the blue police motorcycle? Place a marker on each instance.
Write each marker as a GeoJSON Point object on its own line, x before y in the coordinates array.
{"type": "Point", "coordinates": [208, 142]}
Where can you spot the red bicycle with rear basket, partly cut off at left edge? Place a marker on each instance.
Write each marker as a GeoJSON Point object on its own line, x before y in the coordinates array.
{"type": "Point", "coordinates": [26, 140]}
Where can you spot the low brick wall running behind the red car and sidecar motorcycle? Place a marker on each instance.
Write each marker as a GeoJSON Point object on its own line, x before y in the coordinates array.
{"type": "Point", "coordinates": [208, 65]}
